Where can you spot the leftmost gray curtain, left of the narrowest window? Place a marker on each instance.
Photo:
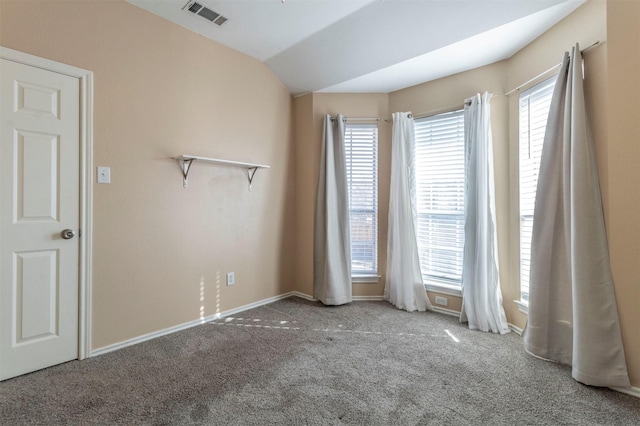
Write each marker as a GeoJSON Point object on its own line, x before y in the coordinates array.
{"type": "Point", "coordinates": [332, 232]}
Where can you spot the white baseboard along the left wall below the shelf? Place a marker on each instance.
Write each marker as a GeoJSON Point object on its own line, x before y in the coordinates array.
{"type": "Point", "coordinates": [186, 325]}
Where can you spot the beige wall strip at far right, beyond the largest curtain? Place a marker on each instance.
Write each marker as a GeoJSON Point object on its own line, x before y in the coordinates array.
{"type": "Point", "coordinates": [622, 110]}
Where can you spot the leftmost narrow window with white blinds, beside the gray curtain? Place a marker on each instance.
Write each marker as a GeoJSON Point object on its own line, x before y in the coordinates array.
{"type": "Point", "coordinates": [361, 150]}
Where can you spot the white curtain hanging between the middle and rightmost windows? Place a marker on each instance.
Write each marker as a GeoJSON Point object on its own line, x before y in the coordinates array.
{"type": "Point", "coordinates": [481, 294]}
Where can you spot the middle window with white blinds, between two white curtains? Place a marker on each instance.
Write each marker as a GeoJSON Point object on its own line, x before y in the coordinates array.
{"type": "Point", "coordinates": [440, 182]}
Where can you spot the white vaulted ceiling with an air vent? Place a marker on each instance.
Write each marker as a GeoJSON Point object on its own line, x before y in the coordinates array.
{"type": "Point", "coordinates": [369, 45]}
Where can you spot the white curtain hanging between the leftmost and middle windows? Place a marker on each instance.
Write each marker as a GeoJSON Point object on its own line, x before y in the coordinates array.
{"type": "Point", "coordinates": [403, 288]}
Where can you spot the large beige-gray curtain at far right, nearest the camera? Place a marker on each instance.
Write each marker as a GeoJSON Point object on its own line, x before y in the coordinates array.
{"type": "Point", "coordinates": [573, 317]}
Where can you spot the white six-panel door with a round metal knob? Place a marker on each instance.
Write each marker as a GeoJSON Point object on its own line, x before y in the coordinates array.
{"type": "Point", "coordinates": [39, 199]}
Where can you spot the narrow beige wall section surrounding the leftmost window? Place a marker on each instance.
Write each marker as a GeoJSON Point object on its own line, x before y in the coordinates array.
{"type": "Point", "coordinates": [310, 111]}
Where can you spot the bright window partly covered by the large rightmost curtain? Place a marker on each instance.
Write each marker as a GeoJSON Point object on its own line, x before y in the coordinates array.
{"type": "Point", "coordinates": [534, 111]}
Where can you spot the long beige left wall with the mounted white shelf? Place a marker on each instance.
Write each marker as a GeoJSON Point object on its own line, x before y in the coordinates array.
{"type": "Point", "coordinates": [162, 91]}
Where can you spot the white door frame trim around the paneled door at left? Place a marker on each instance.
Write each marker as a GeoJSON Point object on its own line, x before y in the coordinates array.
{"type": "Point", "coordinates": [86, 184]}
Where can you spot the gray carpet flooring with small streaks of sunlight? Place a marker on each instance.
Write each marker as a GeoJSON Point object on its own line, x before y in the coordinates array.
{"type": "Point", "coordinates": [296, 362]}
